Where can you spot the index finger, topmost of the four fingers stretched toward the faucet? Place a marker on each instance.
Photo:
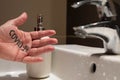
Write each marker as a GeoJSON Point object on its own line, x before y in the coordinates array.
{"type": "Point", "coordinates": [39, 34]}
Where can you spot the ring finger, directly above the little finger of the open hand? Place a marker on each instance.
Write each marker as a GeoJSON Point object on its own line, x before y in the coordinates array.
{"type": "Point", "coordinates": [38, 51]}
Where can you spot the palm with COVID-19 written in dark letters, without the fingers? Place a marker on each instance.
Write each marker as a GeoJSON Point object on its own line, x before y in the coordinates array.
{"type": "Point", "coordinates": [12, 41]}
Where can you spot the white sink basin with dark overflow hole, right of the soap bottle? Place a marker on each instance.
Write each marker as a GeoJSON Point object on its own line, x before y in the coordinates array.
{"type": "Point", "coordinates": [76, 62]}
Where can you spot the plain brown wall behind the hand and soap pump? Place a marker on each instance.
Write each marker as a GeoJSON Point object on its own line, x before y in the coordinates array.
{"type": "Point", "coordinates": [54, 12]}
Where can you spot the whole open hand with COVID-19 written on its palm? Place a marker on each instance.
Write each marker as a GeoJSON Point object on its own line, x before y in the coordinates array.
{"type": "Point", "coordinates": [17, 45]}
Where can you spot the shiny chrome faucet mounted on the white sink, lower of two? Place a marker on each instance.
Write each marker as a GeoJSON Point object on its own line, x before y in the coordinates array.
{"type": "Point", "coordinates": [101, 30]}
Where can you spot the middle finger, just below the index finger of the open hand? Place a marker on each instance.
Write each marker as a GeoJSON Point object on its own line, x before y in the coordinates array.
{"type": "Point", "coordinates": [43, 42]}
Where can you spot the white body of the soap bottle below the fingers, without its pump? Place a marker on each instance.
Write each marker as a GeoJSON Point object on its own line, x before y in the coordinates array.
{"type": "Point", "coordinates": [40, 69]}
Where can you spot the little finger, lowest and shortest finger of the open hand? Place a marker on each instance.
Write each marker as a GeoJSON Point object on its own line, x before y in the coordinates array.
{"type": "Point", "coordinates": [30, 59]}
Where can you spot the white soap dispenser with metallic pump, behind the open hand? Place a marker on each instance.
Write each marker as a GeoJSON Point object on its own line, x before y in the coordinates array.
{"type": "Point", "coordinates": [40, 70]}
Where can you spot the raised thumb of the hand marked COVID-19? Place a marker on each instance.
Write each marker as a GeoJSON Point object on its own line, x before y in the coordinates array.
{"type": "Point", "coordinates": [20, 20]}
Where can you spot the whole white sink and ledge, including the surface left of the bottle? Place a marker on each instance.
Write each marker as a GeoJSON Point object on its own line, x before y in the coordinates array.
{"type": "Point", "coordinates": [70, 62]}
